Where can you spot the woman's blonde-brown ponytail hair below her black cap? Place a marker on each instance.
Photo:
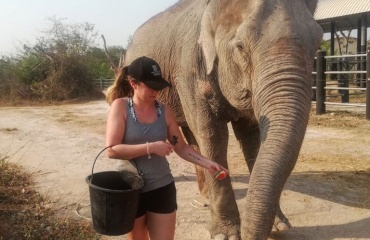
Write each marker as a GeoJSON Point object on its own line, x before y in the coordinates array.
{"type": "Point", "coordinates": [121, 86]}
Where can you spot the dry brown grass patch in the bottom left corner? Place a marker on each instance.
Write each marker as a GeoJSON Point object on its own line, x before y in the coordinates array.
{"type": "Point", "coordinates": [25, 214]}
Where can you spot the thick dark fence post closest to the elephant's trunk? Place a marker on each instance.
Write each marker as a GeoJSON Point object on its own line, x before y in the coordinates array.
{"type": "Point", "coordinates": [320, 82]}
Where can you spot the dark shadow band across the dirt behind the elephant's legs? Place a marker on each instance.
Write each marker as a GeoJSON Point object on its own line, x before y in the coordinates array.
{"type": "Point", "coordinates": [348, 188]}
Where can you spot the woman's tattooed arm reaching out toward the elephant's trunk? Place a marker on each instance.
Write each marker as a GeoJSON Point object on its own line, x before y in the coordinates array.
{"type": "Point", "coordinates": [184, 150]}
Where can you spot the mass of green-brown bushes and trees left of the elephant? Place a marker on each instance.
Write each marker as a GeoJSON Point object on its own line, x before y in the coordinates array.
{"type": "Point", "coordinates": [61, 65]}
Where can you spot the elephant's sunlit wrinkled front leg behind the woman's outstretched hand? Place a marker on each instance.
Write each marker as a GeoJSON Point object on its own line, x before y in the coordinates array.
{"type": "Point", "coordinates": [212, 137]}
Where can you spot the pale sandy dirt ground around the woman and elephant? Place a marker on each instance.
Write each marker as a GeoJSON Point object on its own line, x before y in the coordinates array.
{"type": "Point", "coordinates": [326, 196]}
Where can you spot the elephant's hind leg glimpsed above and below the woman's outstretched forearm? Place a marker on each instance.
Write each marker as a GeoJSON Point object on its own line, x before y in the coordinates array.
{"type": "Point", "coordinates": [201, 179]}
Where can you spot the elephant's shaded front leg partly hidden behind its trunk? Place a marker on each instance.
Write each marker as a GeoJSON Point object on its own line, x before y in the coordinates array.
{"type": "Point", "coordinates": [247, 132]}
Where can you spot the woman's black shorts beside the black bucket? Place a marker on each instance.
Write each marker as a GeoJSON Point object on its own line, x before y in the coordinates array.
{"type": "Point", "coordinates": [161, 200]}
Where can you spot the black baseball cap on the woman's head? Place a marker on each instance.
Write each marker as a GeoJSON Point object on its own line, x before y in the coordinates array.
{"type": "Point", "coordinates": [147, 70]}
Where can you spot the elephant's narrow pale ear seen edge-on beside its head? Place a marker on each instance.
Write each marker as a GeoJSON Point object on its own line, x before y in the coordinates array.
{"type": "Point", "coordinates": [206, 39]}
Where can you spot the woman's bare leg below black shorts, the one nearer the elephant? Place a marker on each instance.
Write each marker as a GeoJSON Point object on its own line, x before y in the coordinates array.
{"type": "Point", "coordinates": [161, 226]}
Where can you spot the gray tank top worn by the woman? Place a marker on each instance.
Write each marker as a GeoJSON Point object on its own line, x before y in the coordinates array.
{"type": "Point", "coordinates": [155, 171]}
